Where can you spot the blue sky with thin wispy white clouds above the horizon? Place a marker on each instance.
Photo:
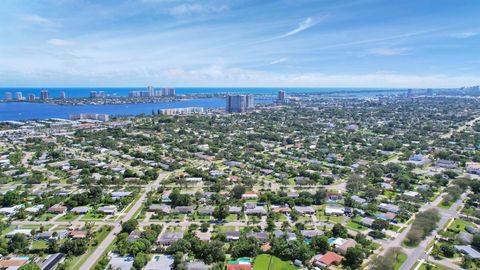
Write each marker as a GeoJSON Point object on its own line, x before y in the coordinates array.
{"type": "Point", "coordinates": [240, 43]}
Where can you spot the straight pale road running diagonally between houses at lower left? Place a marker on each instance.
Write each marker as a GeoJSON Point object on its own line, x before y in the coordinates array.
{"type": "Point", "coordinates": [90, 262]}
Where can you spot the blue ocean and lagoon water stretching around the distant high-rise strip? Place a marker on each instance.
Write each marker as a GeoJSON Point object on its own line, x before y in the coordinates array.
{"type": "Point", "coordinates": [31, 111]}
